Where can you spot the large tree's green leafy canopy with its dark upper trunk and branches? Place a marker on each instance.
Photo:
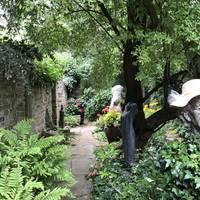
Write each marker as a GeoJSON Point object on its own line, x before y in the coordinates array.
{"type": "Point", "coordinates": [153, 42]}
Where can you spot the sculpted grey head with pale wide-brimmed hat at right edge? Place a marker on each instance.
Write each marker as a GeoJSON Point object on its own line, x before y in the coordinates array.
{"type": "Point", "coordinates": [188, 103]}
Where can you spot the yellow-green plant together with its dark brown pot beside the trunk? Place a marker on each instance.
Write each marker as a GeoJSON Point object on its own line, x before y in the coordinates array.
{"type": "Point", "coordinates": [111, 122]}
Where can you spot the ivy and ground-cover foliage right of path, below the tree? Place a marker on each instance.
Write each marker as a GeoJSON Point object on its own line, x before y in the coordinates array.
{"type": "Point", "coordinates": [167, 169]}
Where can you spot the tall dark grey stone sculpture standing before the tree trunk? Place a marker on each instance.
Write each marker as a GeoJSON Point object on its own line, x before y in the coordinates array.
{"type": "Point", "coordinates": [128, 132]}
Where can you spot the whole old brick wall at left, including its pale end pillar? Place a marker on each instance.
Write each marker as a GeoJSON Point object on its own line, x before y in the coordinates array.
{"type": "Point", "coordinates": [17, 104]}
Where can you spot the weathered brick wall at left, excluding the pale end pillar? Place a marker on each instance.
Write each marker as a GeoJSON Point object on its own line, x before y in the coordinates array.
{"type": "Point", "coordinates": [17, 104]}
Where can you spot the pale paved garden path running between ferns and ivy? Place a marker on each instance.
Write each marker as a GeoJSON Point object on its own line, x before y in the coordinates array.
{"type": "Point", "coordinates": [82, 158]}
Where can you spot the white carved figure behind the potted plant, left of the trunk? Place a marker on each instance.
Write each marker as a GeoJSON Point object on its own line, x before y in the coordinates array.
{"type": "Point", "coordinates": [116, 98]}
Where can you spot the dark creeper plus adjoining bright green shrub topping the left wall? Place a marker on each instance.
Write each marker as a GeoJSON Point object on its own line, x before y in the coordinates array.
{"type": "Point", "coordinates": [23, 63]}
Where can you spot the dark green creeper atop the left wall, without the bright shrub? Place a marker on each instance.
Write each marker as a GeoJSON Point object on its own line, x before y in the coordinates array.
{"type": "Point", "coordinates": [16, 60]}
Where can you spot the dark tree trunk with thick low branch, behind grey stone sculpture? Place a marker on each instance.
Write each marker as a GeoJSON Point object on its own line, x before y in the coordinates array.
{"type": "Point", "coordinates": [134, 91]}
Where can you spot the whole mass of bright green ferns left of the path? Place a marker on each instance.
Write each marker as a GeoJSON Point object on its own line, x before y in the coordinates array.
{"type": "Point", "coordinates": [32, 167]}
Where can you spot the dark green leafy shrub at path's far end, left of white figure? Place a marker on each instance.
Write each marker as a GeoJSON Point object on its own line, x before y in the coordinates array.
{"type": "Point", "coordinates": [97, 103]}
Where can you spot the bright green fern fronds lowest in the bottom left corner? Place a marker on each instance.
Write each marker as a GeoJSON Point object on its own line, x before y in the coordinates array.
{"type": "Point", "coordinates": [13, 187]}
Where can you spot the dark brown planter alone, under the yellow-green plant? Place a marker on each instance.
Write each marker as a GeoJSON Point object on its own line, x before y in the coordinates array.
{"type": "Point", "coordinates": [113, 134]}
